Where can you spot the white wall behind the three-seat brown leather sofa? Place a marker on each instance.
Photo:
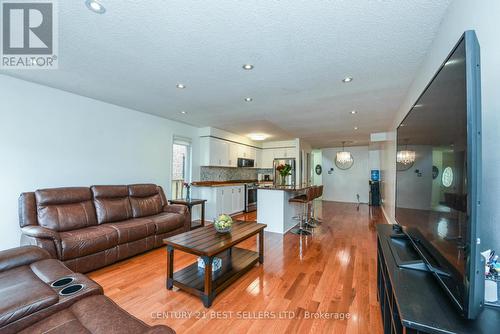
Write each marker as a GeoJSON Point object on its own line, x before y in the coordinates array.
{"type": "Point", "coordinates": [51, 138]}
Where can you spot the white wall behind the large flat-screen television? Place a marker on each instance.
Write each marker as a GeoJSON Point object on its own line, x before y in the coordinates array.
{"type": "Point", "coordinates": [482, 16]}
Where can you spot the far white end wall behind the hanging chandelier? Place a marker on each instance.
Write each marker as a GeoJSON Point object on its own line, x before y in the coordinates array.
{"type": "Point", "coordinates": [343, 185]}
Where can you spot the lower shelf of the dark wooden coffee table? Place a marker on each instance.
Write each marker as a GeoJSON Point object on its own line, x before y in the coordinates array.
{"type": "Point", "coordinates": [235, 262]}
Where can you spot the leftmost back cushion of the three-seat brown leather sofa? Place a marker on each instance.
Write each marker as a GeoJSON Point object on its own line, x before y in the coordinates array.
{"type": "Point", "coordinates": [65, 209]}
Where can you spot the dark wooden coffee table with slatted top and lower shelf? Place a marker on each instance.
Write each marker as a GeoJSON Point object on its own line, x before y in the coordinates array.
{"type": "Point", "coordinates": [207, 243]}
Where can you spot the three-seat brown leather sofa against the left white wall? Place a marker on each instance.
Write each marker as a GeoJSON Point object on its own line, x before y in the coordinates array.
{"type": "Point", "coordinates": [89, 228]}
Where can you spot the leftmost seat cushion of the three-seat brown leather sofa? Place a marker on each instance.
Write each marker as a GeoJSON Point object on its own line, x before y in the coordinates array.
{"type": "Point", "coordinates": [87, 241]}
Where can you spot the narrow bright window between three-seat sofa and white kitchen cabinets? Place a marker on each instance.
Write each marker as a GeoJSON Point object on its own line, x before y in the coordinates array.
{"type": "Point", "coordinates": [181, 166]}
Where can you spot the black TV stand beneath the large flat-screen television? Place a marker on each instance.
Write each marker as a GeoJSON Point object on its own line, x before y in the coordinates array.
{"type": "Point", "coordinates": [413, 302]}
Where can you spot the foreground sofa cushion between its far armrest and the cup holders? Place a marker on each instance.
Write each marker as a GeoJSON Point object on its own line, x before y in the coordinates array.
{"type": "Point", "coordinates": [23, 293]}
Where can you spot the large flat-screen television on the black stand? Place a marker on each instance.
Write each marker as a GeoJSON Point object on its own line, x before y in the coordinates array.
{"type": "Point", "coordinates": [438, 177]}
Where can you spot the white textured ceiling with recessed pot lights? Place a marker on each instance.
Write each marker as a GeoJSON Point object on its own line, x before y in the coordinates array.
{"type": "Point", "coordinates": [136, 53]}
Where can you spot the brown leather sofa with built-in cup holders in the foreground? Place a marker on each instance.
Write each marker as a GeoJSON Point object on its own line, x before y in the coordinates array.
{"type": "Point", "coordinates": [30, 304]}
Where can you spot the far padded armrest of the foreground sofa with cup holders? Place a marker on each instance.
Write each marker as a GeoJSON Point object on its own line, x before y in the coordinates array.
{"type": "Point", "coordinates": [21, 256]}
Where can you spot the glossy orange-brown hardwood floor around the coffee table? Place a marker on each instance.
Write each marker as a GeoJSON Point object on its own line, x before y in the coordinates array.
{"type": "Point", "coordinates": [303, 280]}
